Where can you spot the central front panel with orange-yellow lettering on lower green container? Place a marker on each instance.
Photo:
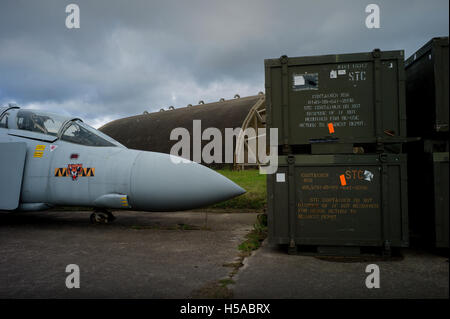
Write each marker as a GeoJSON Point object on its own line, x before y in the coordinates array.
{"type": "Point", "coordinates": [339, 205]}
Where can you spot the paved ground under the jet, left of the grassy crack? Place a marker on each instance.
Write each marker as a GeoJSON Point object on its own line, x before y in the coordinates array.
{"type": "Point", "coordinates": [139, 255]}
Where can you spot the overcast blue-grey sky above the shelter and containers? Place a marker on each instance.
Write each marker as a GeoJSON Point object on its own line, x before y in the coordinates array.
{"type": "Point", "coordinates": [131, 56]}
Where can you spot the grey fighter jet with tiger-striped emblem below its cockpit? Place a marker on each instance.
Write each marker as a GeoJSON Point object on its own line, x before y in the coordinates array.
{"type": "Point", "coordinates": [49, 160]}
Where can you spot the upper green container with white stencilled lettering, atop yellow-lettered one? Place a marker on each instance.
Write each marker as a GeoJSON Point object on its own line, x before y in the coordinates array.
{"type": "Point", "coordinates": [346, 98]}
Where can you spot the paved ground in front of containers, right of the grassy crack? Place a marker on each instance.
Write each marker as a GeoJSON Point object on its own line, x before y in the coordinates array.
{"type": "Point", "coordinates": [271, 273]}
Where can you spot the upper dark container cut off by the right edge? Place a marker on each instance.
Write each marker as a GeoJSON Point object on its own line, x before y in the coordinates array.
{"type": "Point", "coordinates": [427, 89]}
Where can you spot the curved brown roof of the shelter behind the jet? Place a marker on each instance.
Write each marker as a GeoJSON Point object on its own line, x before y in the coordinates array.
{"type": "Point", "coordinates": [151, 131]}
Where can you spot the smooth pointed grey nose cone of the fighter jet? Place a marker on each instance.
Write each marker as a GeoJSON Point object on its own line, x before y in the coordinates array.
{"type": "Point", "coordinates": [161, 182]}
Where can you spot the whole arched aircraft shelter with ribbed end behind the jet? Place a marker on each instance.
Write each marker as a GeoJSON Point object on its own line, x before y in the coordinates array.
{"type": "Point", "coordinates": [151, 131]}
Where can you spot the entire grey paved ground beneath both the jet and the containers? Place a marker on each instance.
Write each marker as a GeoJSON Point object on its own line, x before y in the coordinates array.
{"type": "Point", "coordinates": [188, 255]}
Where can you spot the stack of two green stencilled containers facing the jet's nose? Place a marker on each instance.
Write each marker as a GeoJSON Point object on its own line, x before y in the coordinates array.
{"type": "Point", "coordinates": [341, 182]}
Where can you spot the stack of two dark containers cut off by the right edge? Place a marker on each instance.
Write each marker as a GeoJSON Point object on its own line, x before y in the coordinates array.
{"type": "Point", "coordinates": [427, 110]}
